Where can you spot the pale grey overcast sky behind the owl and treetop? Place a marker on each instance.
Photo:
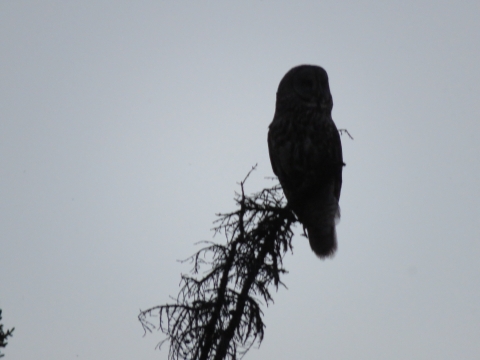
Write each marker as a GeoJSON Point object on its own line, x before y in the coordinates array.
{"type": "Point", "coordinates": [125, 126]}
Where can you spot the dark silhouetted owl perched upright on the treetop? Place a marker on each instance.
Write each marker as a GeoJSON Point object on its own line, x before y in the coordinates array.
{"type": "Point", "coordinates": [306, 154]}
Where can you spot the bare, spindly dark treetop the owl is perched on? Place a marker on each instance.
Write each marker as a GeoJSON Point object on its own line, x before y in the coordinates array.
{"type": "Point", "coordinates": [218, 315]}
